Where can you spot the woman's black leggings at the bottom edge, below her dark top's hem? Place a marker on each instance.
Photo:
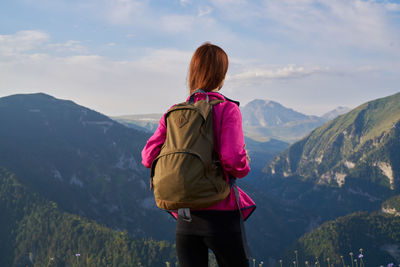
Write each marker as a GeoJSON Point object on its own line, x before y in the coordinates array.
{"type": "Point", "coordinates": [192, 250]}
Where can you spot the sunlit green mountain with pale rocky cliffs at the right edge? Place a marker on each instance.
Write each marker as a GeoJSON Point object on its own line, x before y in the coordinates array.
{"type": "Point", "coordinates": [359, 150]}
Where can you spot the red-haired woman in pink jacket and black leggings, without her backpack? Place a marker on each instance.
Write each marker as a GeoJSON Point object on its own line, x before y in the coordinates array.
{"type": "Point", "coordinates": [218, 227]}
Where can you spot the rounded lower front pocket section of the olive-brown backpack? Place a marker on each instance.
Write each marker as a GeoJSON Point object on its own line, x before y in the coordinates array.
{"type": "Point", "coordinates": [180, 180]}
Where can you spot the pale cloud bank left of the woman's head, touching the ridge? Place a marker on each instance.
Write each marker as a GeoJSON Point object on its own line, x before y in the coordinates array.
{"type": "Point", "coordinates": [110, 86]}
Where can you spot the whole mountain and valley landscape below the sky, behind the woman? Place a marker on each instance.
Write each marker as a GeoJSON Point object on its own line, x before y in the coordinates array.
{"type": "Point", "coordinates": [83, 168]}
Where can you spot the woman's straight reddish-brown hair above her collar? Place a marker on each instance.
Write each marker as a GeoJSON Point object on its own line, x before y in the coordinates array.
{"type": "Point", "coordinates": [208, 68]}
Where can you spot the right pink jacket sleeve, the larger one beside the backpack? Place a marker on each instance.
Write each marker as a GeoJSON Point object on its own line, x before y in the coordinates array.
{"type": "Point", "coordinates": [231, 143]}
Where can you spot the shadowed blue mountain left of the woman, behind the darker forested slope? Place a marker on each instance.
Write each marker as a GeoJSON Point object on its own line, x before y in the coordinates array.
{"type": "Point", "coordinates": [82, 160]}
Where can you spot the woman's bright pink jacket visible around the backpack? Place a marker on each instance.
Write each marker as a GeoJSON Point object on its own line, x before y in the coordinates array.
{"type": "Point", "coordinates": [228, 143]}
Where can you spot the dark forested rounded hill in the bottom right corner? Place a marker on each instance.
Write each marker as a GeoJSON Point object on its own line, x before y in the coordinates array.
{"type": "Point", "coordinates": [374, 235]}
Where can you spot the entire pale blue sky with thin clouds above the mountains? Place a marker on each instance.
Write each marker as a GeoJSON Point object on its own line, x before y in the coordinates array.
{"type": "Point", "coordinates": [123, 57]}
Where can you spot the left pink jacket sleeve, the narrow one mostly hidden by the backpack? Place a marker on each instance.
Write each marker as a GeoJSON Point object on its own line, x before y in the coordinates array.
{"type": "Point", "coordinates": [154, 144]}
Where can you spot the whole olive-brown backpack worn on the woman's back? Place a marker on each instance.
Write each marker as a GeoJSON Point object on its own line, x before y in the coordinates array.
{"type": "Point", "coordinates": [187, 173]}
